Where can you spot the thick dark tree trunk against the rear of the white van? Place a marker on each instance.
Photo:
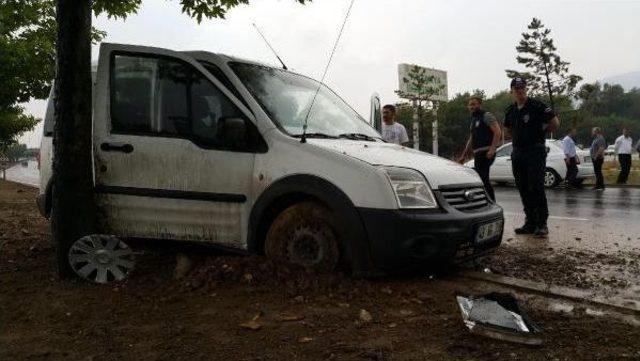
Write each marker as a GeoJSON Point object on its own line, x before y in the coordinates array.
{"type": "Point", "coordinates": [73, 204]}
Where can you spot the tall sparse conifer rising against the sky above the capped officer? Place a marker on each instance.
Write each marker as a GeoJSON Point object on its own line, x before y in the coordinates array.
{"type": "Point", "coordinates": [547, 72]}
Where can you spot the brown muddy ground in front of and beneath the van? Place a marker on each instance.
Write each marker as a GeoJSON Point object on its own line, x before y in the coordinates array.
{"type": "Point", "coordinates": [247, 308]}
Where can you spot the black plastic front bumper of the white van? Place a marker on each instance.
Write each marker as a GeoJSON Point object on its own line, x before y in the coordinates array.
{"type": "Point", "coordinates": [401, 239]}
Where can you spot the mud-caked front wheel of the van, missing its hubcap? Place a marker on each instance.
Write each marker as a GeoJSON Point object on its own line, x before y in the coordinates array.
{"type": "Point", "coordinates": [304, 234]}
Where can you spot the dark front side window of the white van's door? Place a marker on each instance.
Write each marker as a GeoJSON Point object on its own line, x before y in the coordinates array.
{"type": "Point", "coordinates": [163, 97]}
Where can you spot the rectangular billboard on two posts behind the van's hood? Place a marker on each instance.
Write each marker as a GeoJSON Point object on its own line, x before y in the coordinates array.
{"type": "Point", "coordinates": [420, 84]}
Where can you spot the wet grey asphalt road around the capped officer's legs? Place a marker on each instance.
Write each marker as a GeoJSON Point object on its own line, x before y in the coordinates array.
{"type": "Point", "coordinates": [607, 221]}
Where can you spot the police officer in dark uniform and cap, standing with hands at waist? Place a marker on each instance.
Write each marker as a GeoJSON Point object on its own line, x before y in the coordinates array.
{"type": "Point", "coordinates": [528, 120]}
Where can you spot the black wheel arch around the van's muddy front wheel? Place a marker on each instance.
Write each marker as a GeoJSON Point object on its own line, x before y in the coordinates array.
{"type": "Point", "coordinates": [304, 188]}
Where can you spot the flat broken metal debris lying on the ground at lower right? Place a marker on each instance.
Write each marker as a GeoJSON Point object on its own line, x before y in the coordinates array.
{"type": "Point", "coordinates": [497, 315]}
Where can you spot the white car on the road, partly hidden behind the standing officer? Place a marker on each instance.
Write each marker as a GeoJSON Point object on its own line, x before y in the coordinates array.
{"type": "Point", "coordinates": [501, 171]}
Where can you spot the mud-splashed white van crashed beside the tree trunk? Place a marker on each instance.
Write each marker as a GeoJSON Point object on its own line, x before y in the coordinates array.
{"type": "Point", "coordinates": [203, 147]}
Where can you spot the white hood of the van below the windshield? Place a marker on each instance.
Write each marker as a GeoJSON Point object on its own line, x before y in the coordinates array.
{"type": "Point", "coordinates": [438, 171]}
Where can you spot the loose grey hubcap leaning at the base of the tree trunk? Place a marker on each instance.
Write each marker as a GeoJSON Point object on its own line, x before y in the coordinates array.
{"type": "Point", "coordinates": [101, 258]}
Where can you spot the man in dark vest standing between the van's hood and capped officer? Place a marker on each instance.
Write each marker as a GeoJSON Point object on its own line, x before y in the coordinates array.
{"type": "Point", "coordinates": [484, 136]}
